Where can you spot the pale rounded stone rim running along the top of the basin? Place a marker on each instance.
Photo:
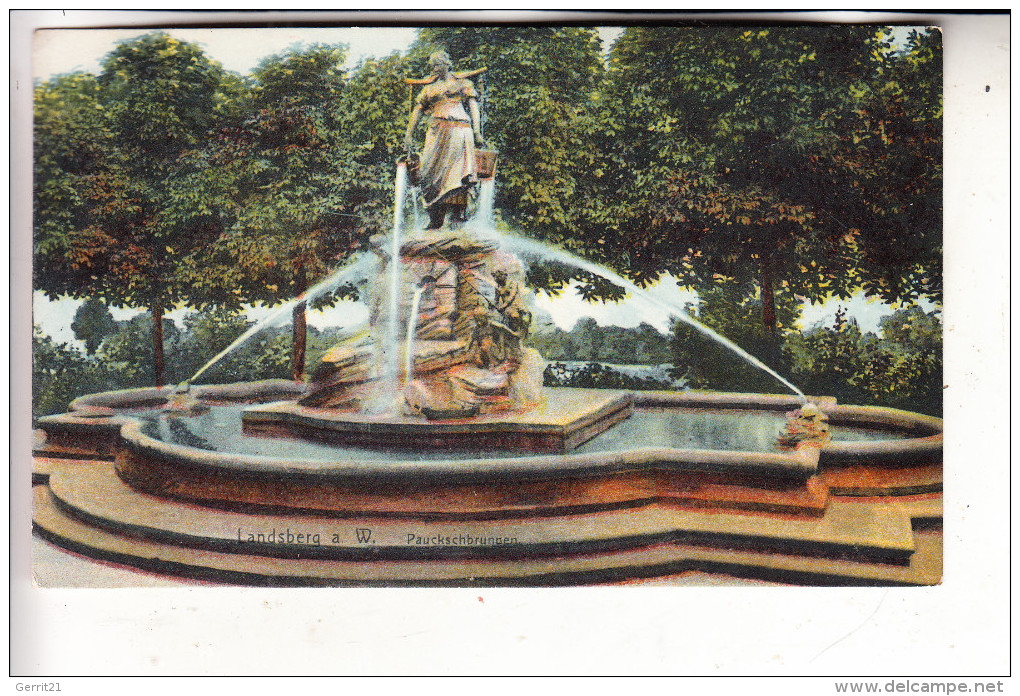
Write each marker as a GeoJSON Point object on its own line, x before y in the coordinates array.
{"type": "Point", "coordinates": [103, 413]}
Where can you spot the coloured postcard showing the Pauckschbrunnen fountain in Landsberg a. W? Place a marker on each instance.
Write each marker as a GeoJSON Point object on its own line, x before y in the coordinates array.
{"type": "Point", "coordinates": [587, 305]}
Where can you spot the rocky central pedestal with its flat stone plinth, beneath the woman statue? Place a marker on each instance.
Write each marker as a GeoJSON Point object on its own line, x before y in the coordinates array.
{"type": "Point", "coordinates": [466, 379]}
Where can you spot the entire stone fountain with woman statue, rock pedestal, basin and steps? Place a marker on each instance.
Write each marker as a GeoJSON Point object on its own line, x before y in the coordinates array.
{"type": "Point", "coordinates": [426, 452]}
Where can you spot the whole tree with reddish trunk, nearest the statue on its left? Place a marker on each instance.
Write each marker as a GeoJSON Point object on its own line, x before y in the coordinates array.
{"type": "Point", "coordinates": [288, 188]}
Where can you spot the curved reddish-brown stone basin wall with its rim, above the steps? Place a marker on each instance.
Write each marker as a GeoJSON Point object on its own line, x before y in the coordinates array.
{"type": "Point", "coordinates": [504, 483]}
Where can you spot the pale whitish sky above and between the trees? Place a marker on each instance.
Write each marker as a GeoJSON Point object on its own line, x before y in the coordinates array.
{"type": "Point", "coordinates": [62, 52]}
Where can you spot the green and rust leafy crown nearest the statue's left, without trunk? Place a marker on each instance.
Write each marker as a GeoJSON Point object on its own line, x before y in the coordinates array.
{"type": "Point", "coordinates": [264, 184]}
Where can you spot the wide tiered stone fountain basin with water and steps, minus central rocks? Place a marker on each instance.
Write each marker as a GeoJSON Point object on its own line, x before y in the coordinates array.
{"type": "Point", "coordinates": [123, 481]}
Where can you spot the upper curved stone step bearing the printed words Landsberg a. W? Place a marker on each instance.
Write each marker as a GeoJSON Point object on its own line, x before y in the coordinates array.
{"type": "Point", "coordinates": [877, 533]}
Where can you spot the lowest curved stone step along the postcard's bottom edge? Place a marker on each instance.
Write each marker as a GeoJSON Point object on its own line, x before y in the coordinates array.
{"type": "Point", "coordinates": [659, 561]}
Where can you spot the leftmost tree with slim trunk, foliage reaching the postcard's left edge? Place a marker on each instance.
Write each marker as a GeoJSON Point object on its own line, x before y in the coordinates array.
{"type": "Point", "coordinates": [106, 226]}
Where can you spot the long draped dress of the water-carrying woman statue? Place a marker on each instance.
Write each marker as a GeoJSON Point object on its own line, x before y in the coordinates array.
{"type": "Point", "coordinates": [448, 166]}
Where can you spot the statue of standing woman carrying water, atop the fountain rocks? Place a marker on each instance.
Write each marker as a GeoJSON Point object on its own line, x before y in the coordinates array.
{"type": "Point", "coordinates": [448, 162]}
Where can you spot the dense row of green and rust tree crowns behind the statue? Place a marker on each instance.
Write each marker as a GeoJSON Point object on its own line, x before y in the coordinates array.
{"type": "Point", "coordinates": [762, 167]}
